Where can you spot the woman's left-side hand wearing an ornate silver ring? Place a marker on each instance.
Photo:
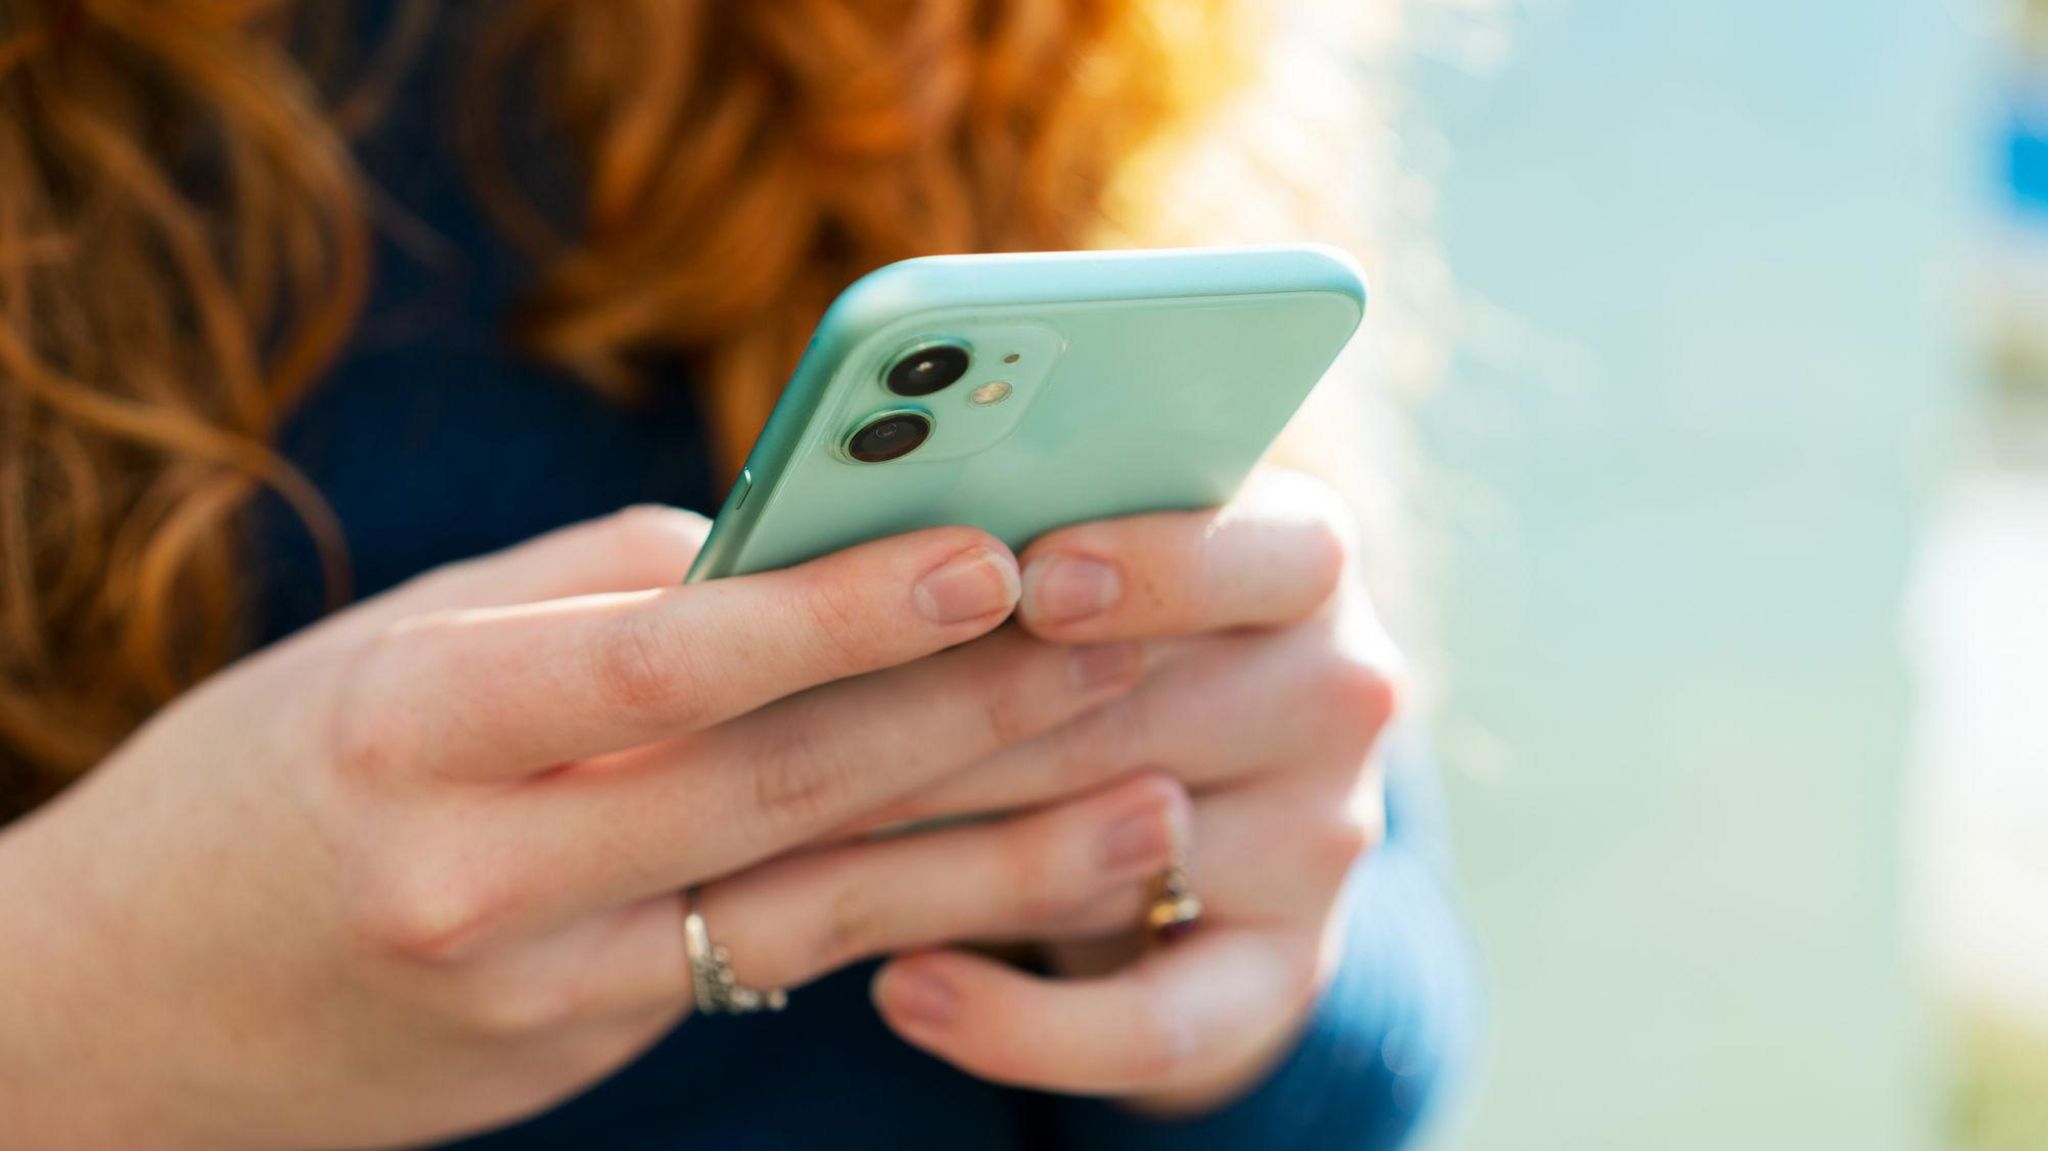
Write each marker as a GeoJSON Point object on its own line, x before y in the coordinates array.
{"type": "Point", "coordinates": [415, 871]}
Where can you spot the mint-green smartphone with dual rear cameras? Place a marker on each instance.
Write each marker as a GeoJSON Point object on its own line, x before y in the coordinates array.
{"type": "Point", "coordinates": [1027, 392]}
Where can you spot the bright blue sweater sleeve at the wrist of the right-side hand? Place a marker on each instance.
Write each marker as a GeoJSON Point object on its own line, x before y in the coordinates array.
{"type": "Point", "coordinates": [1390, 1039]}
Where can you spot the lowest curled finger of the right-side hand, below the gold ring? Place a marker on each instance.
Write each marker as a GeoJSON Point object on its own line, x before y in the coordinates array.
{"type": "Point", "coordinates": [1164, 1021]}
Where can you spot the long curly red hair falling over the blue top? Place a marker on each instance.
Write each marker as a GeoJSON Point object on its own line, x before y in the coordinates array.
{"type": "Point", "coordinates": [185, 249]}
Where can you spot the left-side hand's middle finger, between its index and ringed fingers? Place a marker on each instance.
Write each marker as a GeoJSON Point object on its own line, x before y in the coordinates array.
{"type": "Point", "coordinates": [785, 775]}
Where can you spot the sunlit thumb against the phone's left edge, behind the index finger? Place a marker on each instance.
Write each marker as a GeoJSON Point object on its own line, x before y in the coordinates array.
{"type": "Point", "coordinates": [628, 552]}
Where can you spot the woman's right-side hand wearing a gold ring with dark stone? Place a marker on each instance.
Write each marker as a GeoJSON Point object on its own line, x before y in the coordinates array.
{"type": "Point", "coordinates": [1271, 689]}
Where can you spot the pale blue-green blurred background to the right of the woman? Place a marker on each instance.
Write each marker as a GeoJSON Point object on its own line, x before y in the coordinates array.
{"type": "Point", "coordinates": [1740, 486]}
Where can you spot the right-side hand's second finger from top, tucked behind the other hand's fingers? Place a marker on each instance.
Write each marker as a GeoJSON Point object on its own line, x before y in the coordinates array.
{"type": "Point", "coordinates": [1224, 710]}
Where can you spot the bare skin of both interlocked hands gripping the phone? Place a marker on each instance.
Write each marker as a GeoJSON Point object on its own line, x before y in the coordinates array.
{"type": "Point", "coordinates": [415, 871]}
